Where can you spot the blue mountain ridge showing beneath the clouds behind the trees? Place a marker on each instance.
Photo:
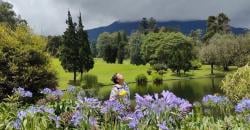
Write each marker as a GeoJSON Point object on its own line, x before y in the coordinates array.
{"type": "Point", "coordinates": [183, 26]}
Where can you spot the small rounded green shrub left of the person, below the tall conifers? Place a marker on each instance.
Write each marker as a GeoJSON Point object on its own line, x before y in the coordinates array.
{"type": "Point", "coordinates": [89, 81]}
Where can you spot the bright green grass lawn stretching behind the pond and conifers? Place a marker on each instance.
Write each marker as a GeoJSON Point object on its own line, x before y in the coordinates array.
{"type": "Point", "coordinates": [104, 72]}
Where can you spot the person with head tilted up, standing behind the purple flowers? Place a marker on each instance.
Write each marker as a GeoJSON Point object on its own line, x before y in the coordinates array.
{"type": "Point", "coordinates": [120, 90]}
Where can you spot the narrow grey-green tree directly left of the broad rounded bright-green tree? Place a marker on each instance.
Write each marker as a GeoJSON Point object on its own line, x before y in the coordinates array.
{"type": "Point", "coordinates": [135, 43]}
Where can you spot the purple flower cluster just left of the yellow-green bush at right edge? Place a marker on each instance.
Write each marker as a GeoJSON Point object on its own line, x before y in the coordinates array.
{"type": "Point", "coordinates": [215, 99]}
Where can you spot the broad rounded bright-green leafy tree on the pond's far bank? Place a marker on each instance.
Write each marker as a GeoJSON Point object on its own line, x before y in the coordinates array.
{"type": "Point", "coordinates": [172, 49]}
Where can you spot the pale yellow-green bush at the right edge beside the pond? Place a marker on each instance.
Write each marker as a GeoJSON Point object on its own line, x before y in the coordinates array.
{"type": "Point", "coordinates": [236, 85]}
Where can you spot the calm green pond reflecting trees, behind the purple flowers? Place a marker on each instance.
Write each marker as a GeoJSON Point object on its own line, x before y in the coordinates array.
{"type": "Point", "coordinates": [190, 89]}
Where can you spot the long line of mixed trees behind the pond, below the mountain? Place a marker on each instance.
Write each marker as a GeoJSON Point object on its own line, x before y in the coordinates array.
{"type": "Point", "coordinates": [169, 47]}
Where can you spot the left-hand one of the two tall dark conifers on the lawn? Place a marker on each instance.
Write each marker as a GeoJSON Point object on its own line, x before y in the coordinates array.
{"type": "Point", "coordinates": [69, 55]}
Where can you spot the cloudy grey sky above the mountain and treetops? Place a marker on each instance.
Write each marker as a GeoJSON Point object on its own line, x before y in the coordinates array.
{"type": "Point", "coordinates": [48, 16]}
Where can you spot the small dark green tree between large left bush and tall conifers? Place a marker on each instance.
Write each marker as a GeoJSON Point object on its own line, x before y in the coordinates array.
{"type": "Point", "coordinates": [54, 43]}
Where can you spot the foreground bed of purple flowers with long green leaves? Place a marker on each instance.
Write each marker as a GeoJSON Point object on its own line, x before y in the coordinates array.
{"type": "Point", "coordinates": [159, 111]}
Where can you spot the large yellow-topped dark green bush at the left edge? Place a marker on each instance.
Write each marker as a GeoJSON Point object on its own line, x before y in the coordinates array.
{"type": "Point", "coordinates": [23, 63]}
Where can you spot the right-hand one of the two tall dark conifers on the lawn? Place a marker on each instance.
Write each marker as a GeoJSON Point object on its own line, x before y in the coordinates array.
{"type": "Point", "coordinates": [86, 61]}
